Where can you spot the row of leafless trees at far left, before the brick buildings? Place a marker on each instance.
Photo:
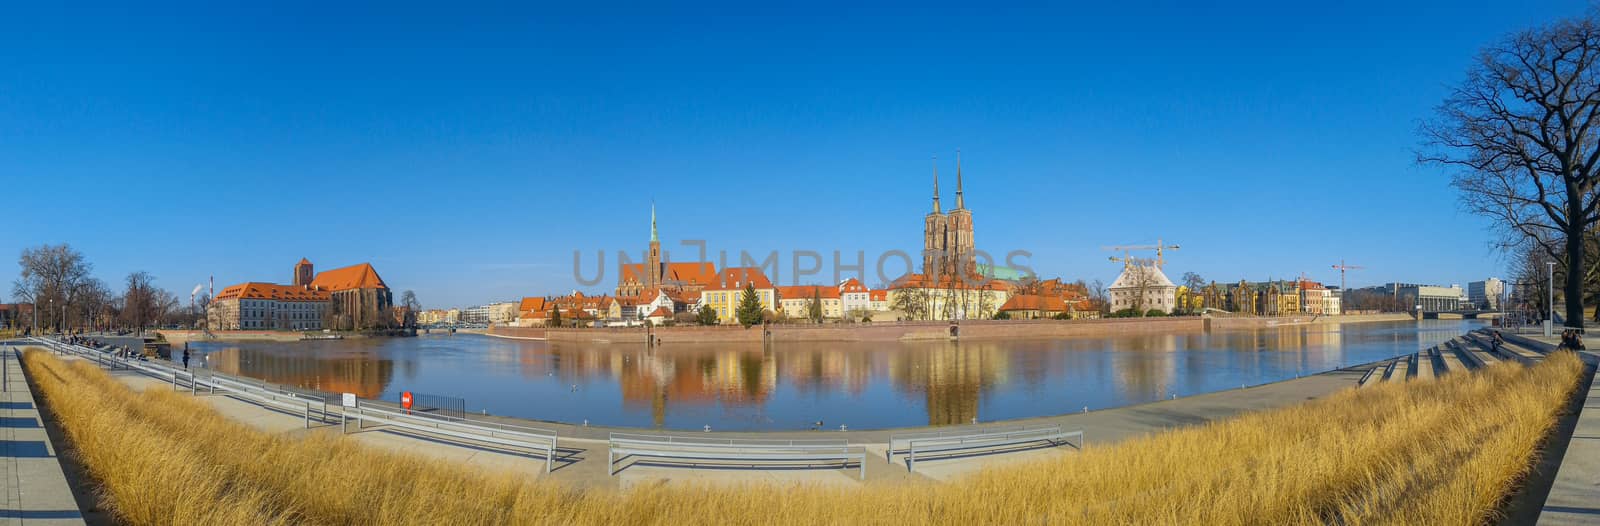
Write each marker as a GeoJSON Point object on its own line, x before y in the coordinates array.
{"type": "Point", "coordinates": [57, 279]}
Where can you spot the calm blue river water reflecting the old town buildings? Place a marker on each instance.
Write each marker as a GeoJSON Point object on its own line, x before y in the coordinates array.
{"type": "Point", "coordinates": [804, 386]}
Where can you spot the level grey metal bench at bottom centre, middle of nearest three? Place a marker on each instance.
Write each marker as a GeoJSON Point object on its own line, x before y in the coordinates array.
{"type": "Point", "coordinates": [734, 450]}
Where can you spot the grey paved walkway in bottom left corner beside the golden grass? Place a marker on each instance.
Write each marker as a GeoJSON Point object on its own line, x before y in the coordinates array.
{"type": "Point", "coordinates": [33, 484]}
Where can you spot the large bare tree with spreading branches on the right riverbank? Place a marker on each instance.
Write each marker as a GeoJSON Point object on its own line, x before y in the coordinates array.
{"type": "Point", "coordinates": [1519, 137]}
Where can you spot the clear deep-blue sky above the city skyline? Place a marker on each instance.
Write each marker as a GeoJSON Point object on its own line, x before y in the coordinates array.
{"type": "Point", "coordinates": [470, 151]}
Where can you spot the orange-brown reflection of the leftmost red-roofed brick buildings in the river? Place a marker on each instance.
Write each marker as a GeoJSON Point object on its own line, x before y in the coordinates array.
{"type": "Point", "coordinates": [364, 377]}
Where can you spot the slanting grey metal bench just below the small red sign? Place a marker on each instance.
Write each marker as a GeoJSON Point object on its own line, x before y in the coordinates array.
{"type": "Point", "coordinates": [540, 440]}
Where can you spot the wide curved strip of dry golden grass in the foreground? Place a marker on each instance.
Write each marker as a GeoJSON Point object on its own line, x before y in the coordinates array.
{"type": "Point", "coordinates": [1439, 453]}
